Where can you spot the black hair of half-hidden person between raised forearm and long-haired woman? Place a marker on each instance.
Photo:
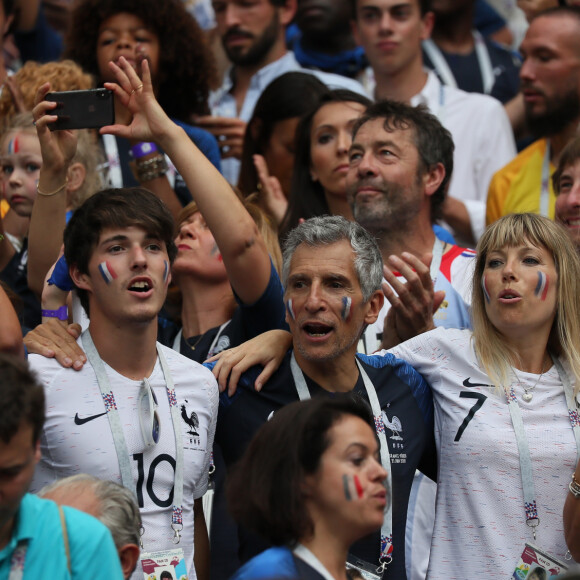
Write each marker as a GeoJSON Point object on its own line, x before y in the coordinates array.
{"type": "Point", "coordinates": [290, 95]}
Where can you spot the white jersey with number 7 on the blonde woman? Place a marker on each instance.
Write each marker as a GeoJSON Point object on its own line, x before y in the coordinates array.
{"type": "Point", "coordinates": [480, 521]}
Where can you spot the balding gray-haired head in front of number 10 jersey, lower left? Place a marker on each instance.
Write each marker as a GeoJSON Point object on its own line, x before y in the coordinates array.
{"type": "Point", "coordinates": [112, 504]}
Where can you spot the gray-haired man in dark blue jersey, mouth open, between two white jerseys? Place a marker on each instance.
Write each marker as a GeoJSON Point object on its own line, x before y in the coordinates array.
{"type": "Point", "coordinates": [332, 274]}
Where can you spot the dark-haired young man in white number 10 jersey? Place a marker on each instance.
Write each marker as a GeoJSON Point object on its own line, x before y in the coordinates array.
{"type": "Point", "coordinates": [138, 413]}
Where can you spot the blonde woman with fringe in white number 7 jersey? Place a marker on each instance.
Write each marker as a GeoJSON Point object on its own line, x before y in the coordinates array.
{"type": "Point", "coordinates": [506, 414]}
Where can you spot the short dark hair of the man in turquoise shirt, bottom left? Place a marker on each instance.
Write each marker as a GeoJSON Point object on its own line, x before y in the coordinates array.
{"type": "Point", "coordinates": [21, 399]}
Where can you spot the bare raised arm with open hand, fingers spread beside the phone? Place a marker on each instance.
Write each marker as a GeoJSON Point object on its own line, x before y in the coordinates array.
{"type": "Point", "coordinates": [242, 248]}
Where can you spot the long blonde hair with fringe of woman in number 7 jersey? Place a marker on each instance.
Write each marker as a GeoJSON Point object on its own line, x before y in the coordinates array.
{"type": "Point", "coordinates": [564, 341]}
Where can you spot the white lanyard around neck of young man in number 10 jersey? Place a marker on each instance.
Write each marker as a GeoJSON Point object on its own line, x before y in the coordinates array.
{"type": "Point", "coordinates": [119, 437]}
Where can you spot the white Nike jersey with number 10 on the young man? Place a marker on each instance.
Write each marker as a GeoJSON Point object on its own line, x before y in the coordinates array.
{"type": "Point", "coordinates": [77, 439]}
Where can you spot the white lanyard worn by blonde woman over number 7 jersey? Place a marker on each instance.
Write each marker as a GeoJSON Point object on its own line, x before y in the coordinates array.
{"type": "Point", "coordinates": [530, 504]}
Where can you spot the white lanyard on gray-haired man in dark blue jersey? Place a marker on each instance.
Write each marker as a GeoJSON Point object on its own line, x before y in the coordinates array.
{"type": "Point", "coordinates": [386, 556]}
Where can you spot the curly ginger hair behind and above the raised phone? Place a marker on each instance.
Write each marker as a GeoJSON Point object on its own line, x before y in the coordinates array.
{"type": "Point", "coordinates": [65, 75]}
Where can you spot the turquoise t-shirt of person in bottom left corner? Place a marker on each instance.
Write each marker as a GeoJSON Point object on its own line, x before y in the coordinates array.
{"type": "Point", "coordinates": [92, 551]}
